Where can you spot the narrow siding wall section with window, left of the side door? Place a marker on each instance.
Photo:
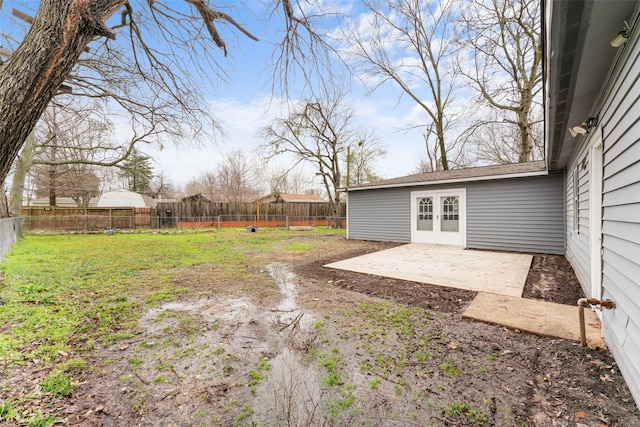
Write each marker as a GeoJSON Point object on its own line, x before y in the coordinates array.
{"type": "Point", "coordinates": [578, 233]}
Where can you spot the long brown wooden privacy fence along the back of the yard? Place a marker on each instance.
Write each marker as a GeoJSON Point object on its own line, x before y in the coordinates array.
{"type": "Point", "coordinates": [179, 214]}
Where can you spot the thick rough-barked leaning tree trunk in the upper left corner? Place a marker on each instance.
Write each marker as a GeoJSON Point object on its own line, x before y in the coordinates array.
{"type": "Point", "coordinates": [34, 72]}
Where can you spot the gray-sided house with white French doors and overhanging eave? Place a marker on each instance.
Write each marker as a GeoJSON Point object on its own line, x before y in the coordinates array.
{"type": "Point", "coordinates": [583, 201]}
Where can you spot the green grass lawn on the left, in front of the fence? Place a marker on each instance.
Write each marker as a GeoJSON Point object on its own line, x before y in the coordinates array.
{"type": "Point", "coordinates": [64, 289]}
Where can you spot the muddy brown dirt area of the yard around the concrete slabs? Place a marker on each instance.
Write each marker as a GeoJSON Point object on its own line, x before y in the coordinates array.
{"type": "Point", "coordinates": [297, 344]}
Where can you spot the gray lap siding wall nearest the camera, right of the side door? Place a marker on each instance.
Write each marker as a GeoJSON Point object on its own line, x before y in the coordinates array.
{"type": "Point", "coordinates": [620, 119]}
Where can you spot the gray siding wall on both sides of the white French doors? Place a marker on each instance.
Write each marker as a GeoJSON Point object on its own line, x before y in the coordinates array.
{"type": "Point", "coordinates": [520, 214]}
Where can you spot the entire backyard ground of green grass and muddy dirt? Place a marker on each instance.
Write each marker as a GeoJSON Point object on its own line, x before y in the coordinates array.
{"type": "Point", "coordinates": [214, 328]}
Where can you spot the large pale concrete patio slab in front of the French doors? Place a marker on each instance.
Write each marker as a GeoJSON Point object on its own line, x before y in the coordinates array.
{"type": "Point", "coordinates": [482, 271]}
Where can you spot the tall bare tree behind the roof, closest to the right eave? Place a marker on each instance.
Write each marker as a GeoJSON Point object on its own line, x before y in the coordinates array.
{"type": "Point", "coordinates": [505, 58]}
